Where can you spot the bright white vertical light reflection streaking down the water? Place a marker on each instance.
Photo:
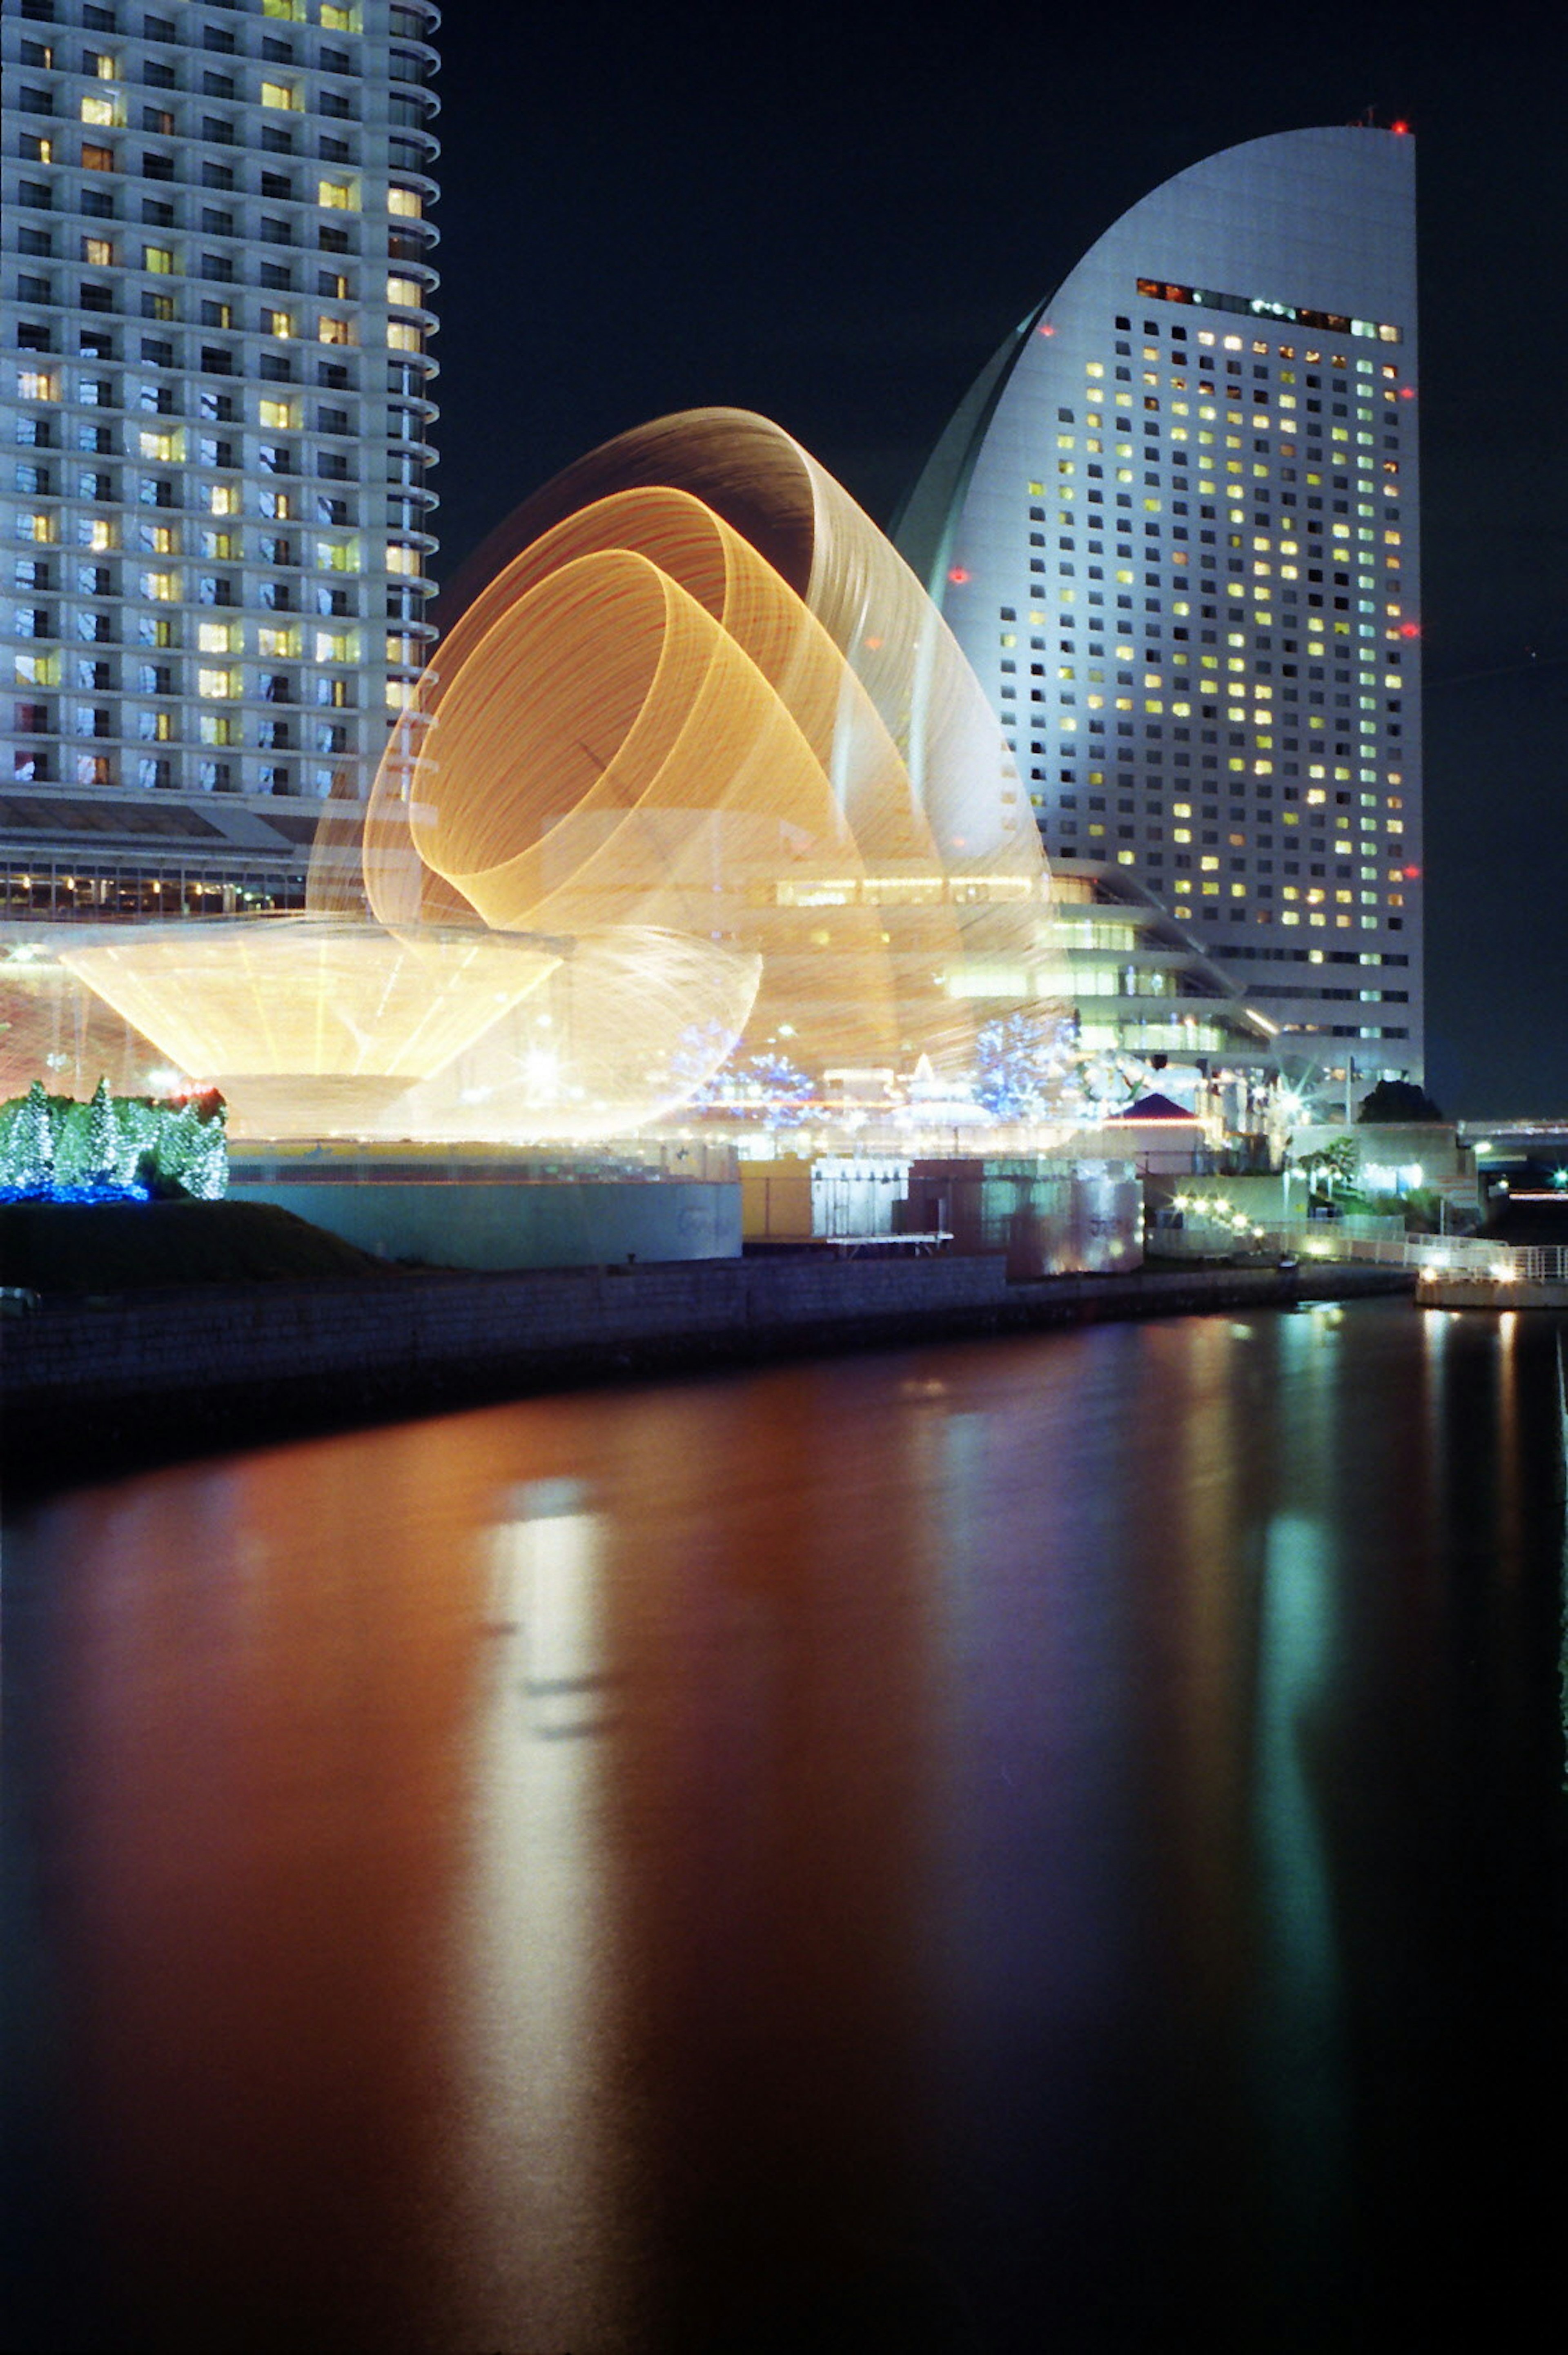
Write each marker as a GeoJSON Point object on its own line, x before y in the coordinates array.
{"type": "Point", "coordinates": [538, 1953]}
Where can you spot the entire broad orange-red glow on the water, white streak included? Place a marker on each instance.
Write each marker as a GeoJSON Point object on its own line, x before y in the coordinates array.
{"type": "Point", "coordinates": [493, 1871]}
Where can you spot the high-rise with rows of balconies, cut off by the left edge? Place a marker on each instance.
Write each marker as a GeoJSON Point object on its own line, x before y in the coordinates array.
{"type": "Point", "coordinates": [215, 524]}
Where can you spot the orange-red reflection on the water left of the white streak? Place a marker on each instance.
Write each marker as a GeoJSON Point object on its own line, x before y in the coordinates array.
{"type": "Point", "coordinates": [260, 1831]}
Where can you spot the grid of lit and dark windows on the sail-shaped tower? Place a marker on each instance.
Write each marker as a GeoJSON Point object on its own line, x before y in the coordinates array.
{"type": "Point", "coordinates": [1209, 658]}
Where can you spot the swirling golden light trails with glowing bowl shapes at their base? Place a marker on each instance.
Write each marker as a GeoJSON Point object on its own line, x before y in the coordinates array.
{"type": "Point", "coordinates": [698, 764]}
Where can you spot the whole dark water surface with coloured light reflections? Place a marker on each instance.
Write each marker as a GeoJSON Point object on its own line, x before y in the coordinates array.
{"type": "Point", "coordinates": [1044, 1843]}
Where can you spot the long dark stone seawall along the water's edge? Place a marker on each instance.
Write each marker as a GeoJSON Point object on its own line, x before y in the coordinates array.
{"type": "Point", "coordinates": [227, 1365]}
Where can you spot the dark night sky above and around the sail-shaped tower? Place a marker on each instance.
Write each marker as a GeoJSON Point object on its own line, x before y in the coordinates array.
{"type": "Point", "coordinates": [835, 218]}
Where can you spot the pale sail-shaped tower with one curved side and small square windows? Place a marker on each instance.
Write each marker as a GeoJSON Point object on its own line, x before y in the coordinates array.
{"type": "Point", "coordinates": [1176, 531]}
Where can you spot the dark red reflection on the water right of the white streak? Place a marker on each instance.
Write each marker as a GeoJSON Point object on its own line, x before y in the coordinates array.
{"type": "Point", "coordinates": [773, 1822]}
